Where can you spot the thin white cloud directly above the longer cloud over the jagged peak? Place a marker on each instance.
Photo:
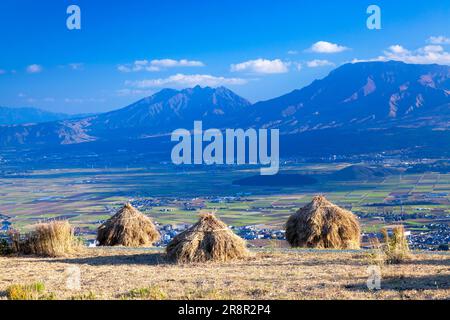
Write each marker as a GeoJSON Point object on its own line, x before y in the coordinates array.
{"type": "Point", "coordinates": [157, 65]}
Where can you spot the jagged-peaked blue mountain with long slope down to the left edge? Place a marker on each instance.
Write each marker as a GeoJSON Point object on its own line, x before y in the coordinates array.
{"type": "Point", "coordinates": [161, 113]}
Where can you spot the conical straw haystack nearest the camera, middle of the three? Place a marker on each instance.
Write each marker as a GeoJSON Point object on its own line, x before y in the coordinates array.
{"type": "Point", "coordinates": [208, 240]}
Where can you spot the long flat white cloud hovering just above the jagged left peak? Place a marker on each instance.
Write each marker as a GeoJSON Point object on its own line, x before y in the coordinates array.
{"type": "Point", "coordinates": [182, 80]}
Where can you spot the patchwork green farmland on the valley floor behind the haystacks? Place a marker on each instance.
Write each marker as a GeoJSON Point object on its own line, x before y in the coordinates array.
{"type": "Point", "coordinates": [88, 196]}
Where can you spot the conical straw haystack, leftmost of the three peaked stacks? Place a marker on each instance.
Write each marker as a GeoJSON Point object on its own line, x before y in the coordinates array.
{"type": "Point", "coordinates": [129, 228]}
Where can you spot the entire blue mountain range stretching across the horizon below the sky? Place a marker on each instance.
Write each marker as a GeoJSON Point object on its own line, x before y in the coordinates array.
{"type": "Point", "coordinates": [367, 106]}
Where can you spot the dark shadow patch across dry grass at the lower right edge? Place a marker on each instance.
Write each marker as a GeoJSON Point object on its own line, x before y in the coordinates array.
{"type": "Point", "coordinates": [430, 282]}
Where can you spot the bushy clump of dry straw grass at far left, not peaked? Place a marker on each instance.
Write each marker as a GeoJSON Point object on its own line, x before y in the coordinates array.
{"type": "Point", "coordinates": [53, 239]}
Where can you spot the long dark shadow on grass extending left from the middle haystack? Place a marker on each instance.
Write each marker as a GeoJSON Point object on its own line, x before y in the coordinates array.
{"type": "Point", "coordinates": [148, 259]}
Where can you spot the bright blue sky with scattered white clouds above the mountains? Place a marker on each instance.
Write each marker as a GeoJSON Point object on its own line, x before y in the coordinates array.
{"type": "Point", "coordinates": [126, 50]}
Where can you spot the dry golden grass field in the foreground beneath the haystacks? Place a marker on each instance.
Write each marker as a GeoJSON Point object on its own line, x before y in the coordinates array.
{"type": "Point", "coordinates": [274, 274]}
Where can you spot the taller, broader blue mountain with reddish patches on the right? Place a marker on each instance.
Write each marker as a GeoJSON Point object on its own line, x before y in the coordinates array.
{"type": "Point", "coordinates": [361, 95]}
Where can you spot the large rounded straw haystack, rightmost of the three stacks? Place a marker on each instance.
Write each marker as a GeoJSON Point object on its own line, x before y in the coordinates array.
{"type": "Point", "coordinates": [322, 224]}
